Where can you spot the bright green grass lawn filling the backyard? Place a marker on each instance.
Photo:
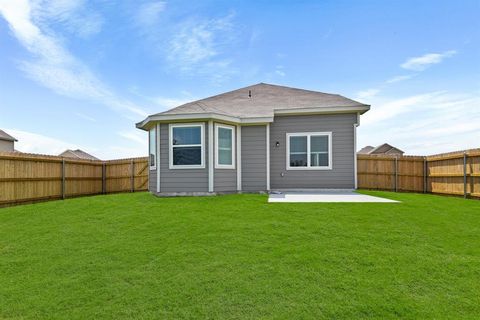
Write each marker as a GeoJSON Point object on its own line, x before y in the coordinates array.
{"type": "Point", "coordinates": [236, 257]}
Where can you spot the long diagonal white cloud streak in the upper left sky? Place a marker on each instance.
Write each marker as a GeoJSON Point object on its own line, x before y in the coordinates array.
{"type": "Point", "coordinates": [54, 66]}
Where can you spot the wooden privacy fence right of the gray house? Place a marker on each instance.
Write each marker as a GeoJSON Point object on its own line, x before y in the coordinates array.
{"type": "Point", "coordinates": [455, 173]}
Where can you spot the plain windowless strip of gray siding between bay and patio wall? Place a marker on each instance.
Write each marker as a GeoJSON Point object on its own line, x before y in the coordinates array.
{"type": "Point", "coordinates": [254, 158]}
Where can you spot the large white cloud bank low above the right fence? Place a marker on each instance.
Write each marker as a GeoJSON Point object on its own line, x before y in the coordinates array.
{"type": "Point", "coordinates": [424, 124]}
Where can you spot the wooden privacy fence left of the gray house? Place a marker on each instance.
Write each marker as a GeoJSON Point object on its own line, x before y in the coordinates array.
{"type": "Point", "coordinates": [30, 178]}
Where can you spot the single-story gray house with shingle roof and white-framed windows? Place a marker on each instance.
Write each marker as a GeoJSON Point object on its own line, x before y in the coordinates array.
{"type": "Point", "coordinates": [258, 138]}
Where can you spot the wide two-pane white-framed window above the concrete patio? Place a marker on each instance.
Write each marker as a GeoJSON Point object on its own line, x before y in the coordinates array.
{"type": "Point", "coordinates": [309, 150]}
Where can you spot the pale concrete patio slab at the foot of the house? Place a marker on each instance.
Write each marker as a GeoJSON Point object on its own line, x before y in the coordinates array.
{"type": "Point", "coordinates": [324, 196]}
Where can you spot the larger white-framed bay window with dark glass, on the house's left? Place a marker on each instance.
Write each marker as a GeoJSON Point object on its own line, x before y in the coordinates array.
{"type": "Point", "coordinates": [187, 146]}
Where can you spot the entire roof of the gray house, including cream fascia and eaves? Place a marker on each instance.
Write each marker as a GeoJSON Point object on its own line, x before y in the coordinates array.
{"type": "Point", "coordinates": [259, 103]}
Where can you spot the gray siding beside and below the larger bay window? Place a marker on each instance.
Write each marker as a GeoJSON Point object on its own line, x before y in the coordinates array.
{"type": "Point", "coordinates": [181, 180]}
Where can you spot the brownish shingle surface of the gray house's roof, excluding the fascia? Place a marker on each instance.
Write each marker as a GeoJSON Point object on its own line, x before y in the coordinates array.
{"type": "Point", "coordinates": [260, 100]}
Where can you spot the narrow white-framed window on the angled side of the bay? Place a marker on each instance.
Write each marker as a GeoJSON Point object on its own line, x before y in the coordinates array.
{"type": "Point", "coordinates": [225, 147]}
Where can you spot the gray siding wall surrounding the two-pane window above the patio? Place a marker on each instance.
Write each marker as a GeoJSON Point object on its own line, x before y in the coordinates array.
{"type": "Point", "coordinates": [342, 174]}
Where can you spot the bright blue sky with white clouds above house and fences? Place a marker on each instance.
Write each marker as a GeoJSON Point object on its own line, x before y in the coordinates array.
{"type": "Point", "coordinates": [80, 74]}
